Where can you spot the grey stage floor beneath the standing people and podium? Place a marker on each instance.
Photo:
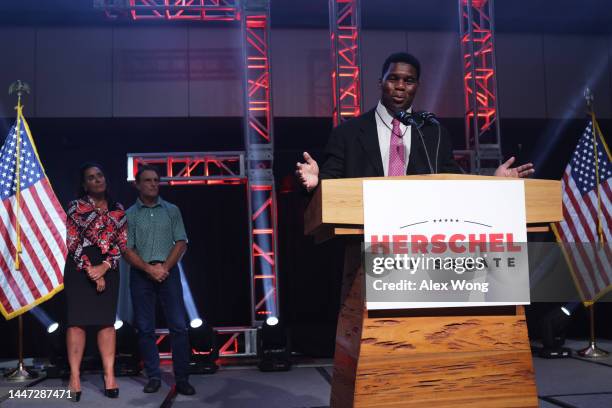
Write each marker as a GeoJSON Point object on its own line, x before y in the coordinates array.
{"type": "Point", "coordinates": [571, 382]}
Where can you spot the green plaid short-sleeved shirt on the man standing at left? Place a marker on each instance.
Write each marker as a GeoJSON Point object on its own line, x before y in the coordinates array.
{"type": "Point", "coordinates": [153, 231]}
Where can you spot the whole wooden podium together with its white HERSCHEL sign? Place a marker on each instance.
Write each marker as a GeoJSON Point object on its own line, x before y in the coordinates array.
{"type": "Point", "coordinates": [444, 356]}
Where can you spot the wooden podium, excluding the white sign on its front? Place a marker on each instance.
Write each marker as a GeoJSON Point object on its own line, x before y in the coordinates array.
{"type": "Point", "coordinates": [443, 357]}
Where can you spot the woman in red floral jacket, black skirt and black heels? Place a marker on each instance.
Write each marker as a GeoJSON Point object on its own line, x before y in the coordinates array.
{"type": "Point", "coordinates": [96, 236]}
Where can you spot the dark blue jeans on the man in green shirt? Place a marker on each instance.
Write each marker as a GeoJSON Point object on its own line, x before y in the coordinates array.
{"type": "Point", "coordinates": [145, 292]}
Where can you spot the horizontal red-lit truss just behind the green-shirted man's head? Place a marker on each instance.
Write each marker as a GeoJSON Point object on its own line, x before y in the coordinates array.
{"type": "Point", "coordinates": [192, 168]}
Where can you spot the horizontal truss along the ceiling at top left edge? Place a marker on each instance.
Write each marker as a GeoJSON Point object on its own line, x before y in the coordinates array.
{"type": "Point", "coordinates": [200, 10]}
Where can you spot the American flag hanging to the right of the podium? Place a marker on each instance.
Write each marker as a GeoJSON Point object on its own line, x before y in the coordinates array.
{"type": "Point", "coordinates": [585, 229]}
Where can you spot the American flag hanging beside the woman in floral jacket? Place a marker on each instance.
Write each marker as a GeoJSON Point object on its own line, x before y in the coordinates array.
{"type": "Point", "coordinates": [41, 222]}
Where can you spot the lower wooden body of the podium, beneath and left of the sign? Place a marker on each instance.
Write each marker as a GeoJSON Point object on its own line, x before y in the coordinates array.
{"type": "Point", "coordinates": [443, 361]}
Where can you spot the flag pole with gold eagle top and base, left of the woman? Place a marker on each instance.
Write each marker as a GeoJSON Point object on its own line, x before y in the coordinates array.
{"type": "Point", "coordinates": [21, 373]}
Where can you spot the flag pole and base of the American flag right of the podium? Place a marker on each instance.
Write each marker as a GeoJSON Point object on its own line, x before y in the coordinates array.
{"type": "Point", "coordinates": [592, 351]}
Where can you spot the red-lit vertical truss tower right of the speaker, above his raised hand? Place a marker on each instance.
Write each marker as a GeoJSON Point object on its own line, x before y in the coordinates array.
{"type": "Point", "coordinates": [480, 85]}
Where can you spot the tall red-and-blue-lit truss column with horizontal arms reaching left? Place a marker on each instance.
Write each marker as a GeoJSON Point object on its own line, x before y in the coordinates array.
{"type": "Point", "coordinates": [253, 167]}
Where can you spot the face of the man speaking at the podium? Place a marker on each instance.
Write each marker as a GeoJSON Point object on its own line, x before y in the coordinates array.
{"type": "Point", "coordinates": [399, 86]}
